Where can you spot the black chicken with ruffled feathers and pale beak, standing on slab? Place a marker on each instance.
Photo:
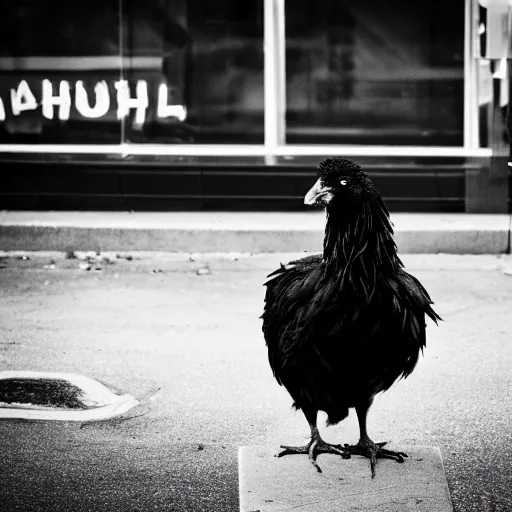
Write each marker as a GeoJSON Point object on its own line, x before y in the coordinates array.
{"type": "Point", "coordinates": [343, 326]}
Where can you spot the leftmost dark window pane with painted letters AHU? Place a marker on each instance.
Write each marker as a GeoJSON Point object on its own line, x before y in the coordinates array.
{"type": "Point", "coordinates": [59, 66]}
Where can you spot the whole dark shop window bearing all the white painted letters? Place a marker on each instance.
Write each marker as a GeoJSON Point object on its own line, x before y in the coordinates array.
{"type": "Point", "coordinates": [152, 71]}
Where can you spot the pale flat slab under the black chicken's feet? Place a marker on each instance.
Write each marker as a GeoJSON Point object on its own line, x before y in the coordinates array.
{"type": "Point", "coordinates": [270, 484]}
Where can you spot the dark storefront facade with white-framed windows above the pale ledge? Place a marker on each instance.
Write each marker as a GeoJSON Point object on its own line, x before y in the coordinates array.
{"type": "Point", "coordinates": [193, 104]}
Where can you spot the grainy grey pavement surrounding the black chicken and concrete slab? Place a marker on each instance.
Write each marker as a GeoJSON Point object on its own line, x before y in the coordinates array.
{"type": "Point", "coordinates": [190, 348]}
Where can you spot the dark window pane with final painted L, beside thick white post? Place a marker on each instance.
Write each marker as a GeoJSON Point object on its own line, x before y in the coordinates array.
{"type": "Point", "coordinates": [202, 65]}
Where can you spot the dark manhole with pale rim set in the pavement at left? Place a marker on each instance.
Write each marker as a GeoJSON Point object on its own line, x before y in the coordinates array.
{"type": "Point", "coordinates": [59, 396]}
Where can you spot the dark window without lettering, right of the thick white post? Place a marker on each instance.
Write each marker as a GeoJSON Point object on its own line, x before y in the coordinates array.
{"type": "Point", "coordinates": [374, 72]}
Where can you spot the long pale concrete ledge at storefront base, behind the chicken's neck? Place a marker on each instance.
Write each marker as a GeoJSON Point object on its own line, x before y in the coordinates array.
{"type": "Point", "coordinates": [253, 232]}
